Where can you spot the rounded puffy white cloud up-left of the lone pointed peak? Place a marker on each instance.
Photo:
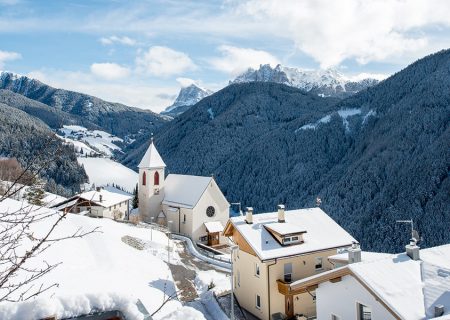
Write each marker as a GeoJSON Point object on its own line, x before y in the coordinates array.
{"type": "Point", "coordinates": [163, 62]}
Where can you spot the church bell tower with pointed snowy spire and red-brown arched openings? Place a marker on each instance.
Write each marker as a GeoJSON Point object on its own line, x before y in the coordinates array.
{"type": "Point", "coordinates": [151, 184]}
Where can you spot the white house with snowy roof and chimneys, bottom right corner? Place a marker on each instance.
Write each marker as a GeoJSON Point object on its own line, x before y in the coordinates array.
{"type": "Point", "coordinates": [412, 285]}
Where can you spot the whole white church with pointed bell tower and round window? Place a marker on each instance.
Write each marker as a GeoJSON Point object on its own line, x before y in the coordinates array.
{"type": "Point", "coordinates": [189, 205]}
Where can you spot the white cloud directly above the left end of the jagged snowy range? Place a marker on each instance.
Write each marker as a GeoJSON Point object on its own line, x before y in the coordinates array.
{"type": "Point", "coordinates": [235, 60]}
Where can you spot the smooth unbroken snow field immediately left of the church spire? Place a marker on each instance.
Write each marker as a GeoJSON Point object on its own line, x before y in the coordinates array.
{"type": "Point", "coordinates": [102, 171]}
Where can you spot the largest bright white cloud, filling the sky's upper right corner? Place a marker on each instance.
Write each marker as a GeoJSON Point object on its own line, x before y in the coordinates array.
{"type": "Point", "coordinates": [333, 31]}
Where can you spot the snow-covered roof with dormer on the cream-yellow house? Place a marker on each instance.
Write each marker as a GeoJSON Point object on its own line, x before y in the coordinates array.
{"type": "Point", "coordinates": [322, 233]}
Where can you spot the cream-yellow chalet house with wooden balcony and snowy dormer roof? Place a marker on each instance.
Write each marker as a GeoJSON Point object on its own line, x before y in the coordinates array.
{"type": "Point", "coordinates": [277, 249]}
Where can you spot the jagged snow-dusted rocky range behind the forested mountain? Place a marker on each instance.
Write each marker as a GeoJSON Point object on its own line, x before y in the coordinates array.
{"type": "Point", "coordinates": [324, 82]}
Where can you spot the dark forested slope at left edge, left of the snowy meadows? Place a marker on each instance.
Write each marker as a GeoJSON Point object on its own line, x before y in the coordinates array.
{"type": "Point", "coordinates": [29, 139]}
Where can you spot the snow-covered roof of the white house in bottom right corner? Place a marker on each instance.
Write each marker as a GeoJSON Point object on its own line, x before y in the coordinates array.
{"type": "Point", "coordinates": [410, 288]}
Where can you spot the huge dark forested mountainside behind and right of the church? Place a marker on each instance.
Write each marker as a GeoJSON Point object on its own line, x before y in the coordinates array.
{"type": "Point", "coordinates": [376, 157]}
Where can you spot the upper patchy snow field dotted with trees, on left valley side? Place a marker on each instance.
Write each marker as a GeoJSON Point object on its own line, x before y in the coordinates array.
{"type": "Point", "coordinates": [83, 138]}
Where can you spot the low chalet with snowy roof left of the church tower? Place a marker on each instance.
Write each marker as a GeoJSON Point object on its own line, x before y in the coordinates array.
{"type": "Point", "coordinates": [99, 203]}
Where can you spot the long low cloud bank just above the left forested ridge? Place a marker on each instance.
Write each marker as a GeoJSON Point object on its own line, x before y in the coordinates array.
{"type": "Point", "coordinates": [131, 92]}
